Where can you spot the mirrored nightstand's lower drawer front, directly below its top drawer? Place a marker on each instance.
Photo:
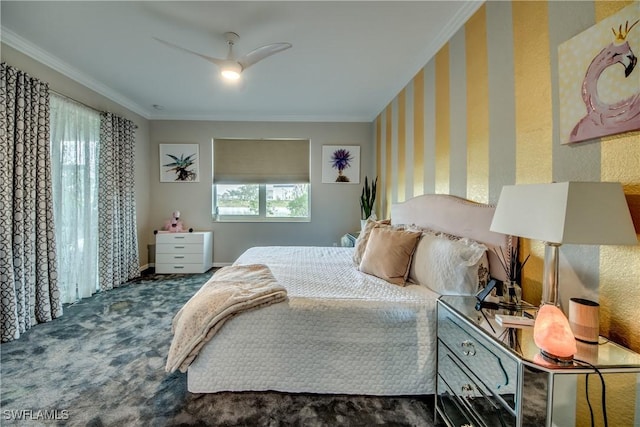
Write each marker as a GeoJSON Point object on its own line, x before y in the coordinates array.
{"type": "Point", "coordinates": [477, 401]}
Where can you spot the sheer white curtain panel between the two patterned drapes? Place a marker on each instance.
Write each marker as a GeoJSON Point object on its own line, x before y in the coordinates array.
{"type": "Point", "coordinates": [75, 134]}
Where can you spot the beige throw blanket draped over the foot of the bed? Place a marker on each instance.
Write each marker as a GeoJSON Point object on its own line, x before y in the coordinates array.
{"type": "Point", "coordinates": [230, 290]}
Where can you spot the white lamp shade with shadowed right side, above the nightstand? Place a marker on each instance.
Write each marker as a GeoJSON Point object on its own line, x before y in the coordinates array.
{"type": "Point", "coordinates": [566, 212]}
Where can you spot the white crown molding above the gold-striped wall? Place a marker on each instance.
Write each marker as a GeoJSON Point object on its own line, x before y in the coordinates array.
{"type": "Point", "coordinates": [458, 20]}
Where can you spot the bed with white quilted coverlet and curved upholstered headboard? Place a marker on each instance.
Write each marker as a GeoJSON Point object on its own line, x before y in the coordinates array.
{"type": "Point", "coordinates": [341, 331]}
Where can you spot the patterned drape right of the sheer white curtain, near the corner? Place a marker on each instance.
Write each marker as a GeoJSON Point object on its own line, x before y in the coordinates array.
{"type": "Point", "coordinates": [118, 241]}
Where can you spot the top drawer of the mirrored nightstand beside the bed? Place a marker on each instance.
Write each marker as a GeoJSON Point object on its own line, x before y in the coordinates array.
{"type": "Point", "coordinates": [493, 365]}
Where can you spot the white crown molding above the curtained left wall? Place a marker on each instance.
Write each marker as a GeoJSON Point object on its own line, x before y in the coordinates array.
{"type": "Point", "coordinates": [26, 47]}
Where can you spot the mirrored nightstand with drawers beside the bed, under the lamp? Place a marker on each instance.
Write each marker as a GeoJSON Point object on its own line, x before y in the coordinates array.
{"type": "Point", "coordinates": [493, 376]}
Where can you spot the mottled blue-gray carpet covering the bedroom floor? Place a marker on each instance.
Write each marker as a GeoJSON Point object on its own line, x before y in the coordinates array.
{"type": "Point", "coordinates": [102, 364]}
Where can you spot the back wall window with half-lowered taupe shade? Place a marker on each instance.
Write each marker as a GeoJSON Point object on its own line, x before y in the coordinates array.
{"type": "Point", "coordinates": [261, 180]}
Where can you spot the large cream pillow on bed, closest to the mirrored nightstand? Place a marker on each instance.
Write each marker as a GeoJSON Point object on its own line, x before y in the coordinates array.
{"type": "Point", "coordinates": [449, 266]}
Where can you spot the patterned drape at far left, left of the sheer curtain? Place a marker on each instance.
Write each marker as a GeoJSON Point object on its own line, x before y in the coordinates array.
{"type": "Point", "coordinates": [29, 291]}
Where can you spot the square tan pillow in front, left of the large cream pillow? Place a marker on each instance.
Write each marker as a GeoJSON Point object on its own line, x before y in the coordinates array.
{"type": "Point", "coordinates": [388, 254]}
